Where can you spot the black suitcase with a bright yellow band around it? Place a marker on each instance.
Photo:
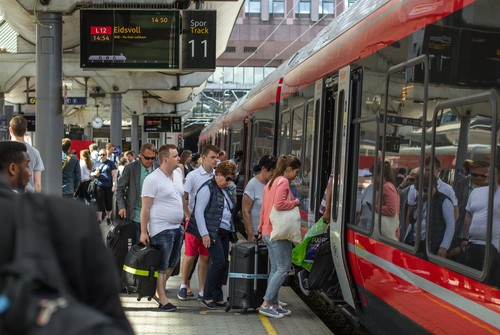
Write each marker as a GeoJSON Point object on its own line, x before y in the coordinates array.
{"type": "Point", "coordinates": [140, 270]}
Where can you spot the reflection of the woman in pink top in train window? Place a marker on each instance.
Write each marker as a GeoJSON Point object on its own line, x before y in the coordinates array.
{"type": "Point", "coordinates": [389, 226]}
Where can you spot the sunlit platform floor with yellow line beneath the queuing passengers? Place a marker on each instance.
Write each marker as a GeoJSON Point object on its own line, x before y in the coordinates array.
{"type": "Point", "coordinates": [191, 317]}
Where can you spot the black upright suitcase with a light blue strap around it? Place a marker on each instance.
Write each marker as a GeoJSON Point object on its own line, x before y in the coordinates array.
{"type": "Point", "coordinates": [248, 273]}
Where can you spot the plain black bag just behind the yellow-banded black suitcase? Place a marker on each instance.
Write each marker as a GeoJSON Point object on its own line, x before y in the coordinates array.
{"type": "Point", "coordinates": [120, 239]}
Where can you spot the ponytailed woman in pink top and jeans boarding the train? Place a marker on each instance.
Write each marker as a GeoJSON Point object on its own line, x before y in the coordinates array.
{"type": "Point", "coordinates": [277, 193]}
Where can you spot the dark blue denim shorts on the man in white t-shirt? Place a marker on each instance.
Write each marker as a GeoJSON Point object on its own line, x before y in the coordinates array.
{"type": "Point", "coordinates": [169, 242]}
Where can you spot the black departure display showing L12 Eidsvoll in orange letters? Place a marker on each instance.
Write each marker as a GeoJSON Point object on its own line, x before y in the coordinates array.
{"type": "Point", "coordinates": [129, 39]}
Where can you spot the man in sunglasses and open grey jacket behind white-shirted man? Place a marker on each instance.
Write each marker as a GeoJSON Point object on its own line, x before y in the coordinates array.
{"type": "Point", "coordinates": [128, 190]}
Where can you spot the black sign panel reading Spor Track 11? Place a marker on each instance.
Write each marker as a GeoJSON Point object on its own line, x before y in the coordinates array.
{"type": "Point", "coordinates": [199, 39]}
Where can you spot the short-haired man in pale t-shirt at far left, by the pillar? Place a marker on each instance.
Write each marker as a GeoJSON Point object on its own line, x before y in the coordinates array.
{"type": "Point", "coordinates": [17, 128]}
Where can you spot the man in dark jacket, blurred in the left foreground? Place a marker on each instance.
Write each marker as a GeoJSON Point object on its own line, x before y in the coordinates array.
{"type": "Point", "coordinates": [84, 298]}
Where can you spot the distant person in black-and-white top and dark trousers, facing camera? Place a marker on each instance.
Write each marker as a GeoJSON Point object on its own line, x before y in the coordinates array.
{"type": "Point", "coordinates": [105, 173]}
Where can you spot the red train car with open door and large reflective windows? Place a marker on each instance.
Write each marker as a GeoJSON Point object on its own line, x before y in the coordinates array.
{"type": "Point", "coordinates": [396, 81]}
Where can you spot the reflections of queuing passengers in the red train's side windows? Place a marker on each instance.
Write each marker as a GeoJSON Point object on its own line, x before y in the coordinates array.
{"type": "Point", "coordinates": [458, 214]}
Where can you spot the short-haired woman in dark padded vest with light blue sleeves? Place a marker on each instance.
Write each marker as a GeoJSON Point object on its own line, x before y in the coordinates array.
{"type": "Point", "coordinates": [211, 220]}
